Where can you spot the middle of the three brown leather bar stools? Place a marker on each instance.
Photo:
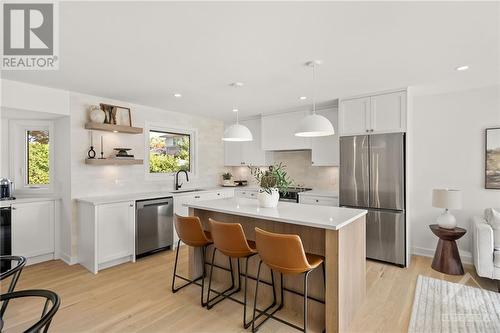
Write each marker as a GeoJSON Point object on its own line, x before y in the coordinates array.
{"type": "Point", "coordinates": [230, 240]}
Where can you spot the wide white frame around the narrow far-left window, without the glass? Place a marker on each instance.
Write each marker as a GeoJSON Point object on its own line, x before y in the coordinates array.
{"type": "Point", "coordinates": [19, 155]}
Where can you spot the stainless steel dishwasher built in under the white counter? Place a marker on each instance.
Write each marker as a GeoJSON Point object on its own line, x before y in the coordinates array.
{"type": "Point", "coordinates": [154, 225]}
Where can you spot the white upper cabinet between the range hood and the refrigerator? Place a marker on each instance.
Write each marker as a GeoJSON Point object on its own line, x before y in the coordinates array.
{"type": "Point", "coordinates": [325, 150]}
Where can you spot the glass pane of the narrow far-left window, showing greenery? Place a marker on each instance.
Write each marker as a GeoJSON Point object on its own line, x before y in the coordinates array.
{"type": "Point", "coordinates": [37, 158]}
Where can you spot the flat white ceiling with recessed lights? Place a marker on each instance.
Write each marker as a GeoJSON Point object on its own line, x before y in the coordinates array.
{"type": "Point", "coordinates": [144, 52]}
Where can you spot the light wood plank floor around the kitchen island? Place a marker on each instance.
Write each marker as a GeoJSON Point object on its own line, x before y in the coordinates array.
{"type": "Point", "coordinates": [137, 298]}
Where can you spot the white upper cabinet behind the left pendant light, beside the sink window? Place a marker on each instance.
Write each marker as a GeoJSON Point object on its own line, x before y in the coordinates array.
{"type": "Point", "coordinates": [250, 152]}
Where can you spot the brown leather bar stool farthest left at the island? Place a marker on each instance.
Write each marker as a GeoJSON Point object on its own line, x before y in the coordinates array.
{"type": "Point", "coordinates": [191, 233]}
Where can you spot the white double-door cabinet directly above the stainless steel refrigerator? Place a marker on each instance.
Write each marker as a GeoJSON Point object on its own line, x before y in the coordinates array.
{"type": "Point", "coordinates": [382, 113]}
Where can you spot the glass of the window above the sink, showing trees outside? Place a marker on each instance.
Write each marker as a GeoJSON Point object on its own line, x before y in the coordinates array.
{"type": "Point", "coordinates": [169, 152]}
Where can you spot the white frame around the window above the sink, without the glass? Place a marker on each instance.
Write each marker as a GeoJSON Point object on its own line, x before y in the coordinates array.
{"type": "Point", "coordinates": [193, 149]}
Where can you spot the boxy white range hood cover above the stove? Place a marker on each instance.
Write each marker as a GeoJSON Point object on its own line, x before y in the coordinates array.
{"type": "Point", "coordinates": [278, 132]}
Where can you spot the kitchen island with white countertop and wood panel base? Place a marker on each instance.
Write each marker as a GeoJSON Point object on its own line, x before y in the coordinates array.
{"type": "Point", "coordinates": [338, 234]}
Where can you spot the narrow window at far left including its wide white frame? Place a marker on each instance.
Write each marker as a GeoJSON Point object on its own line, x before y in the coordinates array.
{"type": "Point", "coordinates": [32, 155]}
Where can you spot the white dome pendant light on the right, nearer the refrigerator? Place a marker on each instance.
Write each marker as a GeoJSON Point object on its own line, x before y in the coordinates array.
{"type": "Point", "coordinates": [314, 125]}
